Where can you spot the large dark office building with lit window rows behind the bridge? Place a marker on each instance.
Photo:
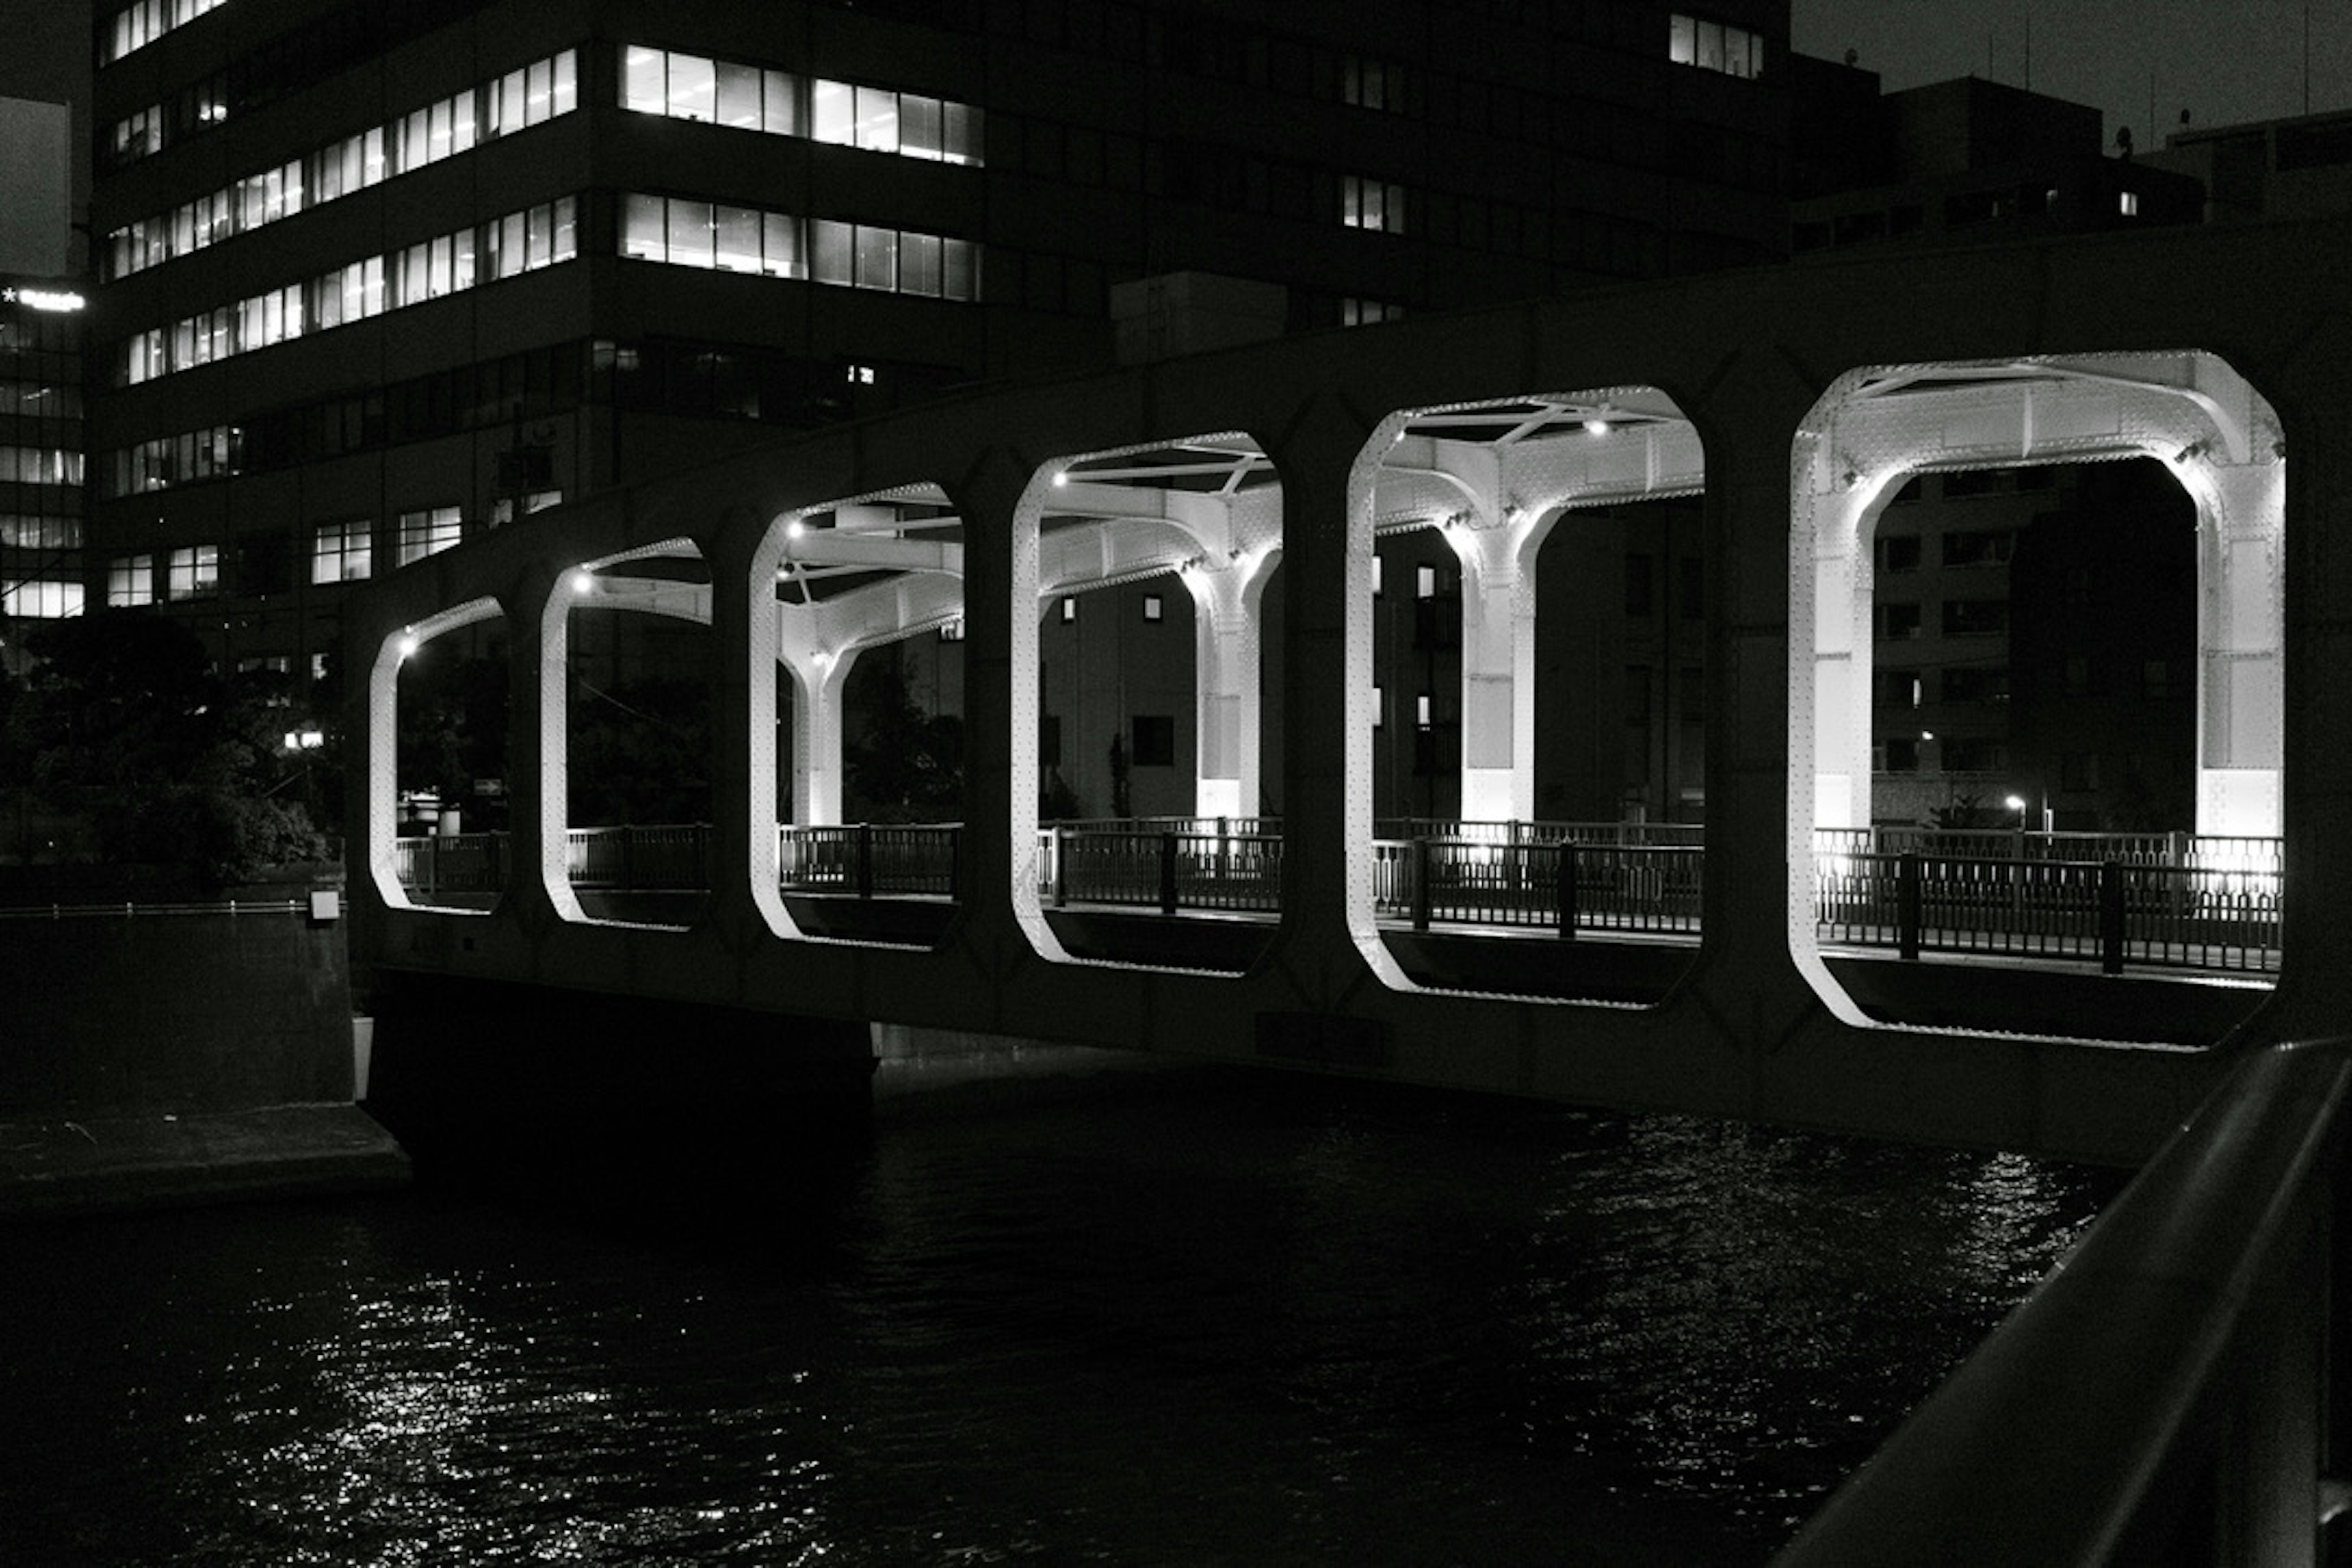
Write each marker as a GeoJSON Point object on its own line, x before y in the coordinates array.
{"type": "Point", "coordinates": [382, 274]}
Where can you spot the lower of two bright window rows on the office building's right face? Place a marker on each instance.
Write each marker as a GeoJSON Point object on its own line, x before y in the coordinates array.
{"type": "Point", "coordinates": [780, 246]}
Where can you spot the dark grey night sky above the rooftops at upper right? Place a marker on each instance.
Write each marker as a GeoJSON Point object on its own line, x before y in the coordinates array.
{"type": "Point", "coordinates": [2221, 60]}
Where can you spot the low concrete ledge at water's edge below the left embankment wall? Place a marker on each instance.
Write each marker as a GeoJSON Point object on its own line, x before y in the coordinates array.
{"type": "Point", "coordinates": [86, 1165]}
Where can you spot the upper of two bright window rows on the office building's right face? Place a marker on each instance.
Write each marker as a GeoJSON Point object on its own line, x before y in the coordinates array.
{"type": "Point", "coordinates": [784, 105]}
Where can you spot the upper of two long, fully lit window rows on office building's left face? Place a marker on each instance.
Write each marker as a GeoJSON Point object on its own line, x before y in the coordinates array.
{"type": "Point", "coordinates": [422, 138]}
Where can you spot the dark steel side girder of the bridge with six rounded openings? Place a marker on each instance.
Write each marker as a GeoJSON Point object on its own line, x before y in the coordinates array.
{"type": "Point", "coordinates": [1749, 361]}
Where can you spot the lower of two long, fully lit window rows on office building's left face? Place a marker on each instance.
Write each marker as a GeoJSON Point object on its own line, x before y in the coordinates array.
{"type": "Point", "coordinates": [502, 248]}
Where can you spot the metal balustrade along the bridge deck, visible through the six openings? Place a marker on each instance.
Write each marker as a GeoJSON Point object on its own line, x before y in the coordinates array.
{"type": "Point", "coordinates": [2057, 897]}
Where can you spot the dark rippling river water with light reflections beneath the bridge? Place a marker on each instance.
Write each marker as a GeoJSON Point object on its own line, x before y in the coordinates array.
{"type": "Point", "coordinates": [1156, 1320]}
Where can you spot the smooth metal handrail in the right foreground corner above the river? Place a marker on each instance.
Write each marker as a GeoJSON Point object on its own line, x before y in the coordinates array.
{"type": "Point", "coordinates": [2172, 1393]}
